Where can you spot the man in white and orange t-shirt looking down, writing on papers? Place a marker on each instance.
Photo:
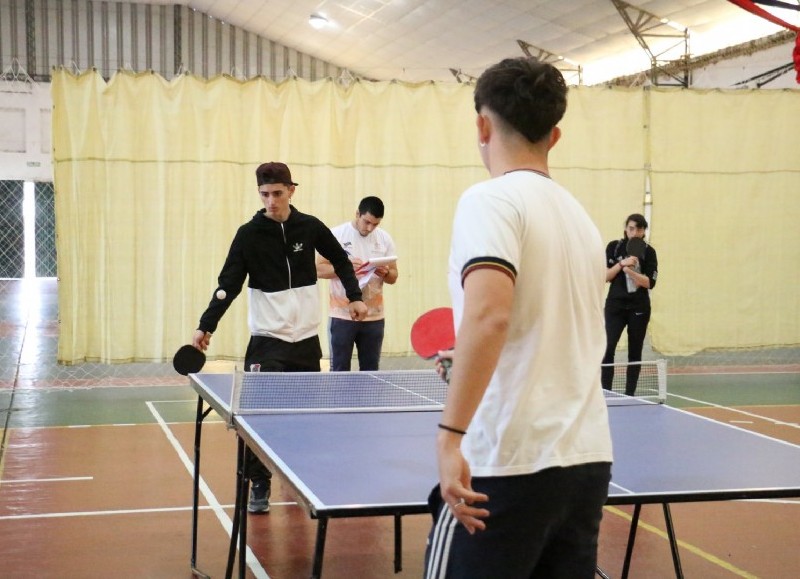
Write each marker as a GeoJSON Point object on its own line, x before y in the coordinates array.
{"type": "Point", "coordinates": [364, 241]}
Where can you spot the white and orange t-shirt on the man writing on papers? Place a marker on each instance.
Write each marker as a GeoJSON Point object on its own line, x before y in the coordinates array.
{"type": "Point", "coordinates": [377, 243]}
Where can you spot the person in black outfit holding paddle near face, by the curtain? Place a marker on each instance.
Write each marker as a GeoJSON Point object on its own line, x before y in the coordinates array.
{"type": "Point", "coordinates": [628, 301]}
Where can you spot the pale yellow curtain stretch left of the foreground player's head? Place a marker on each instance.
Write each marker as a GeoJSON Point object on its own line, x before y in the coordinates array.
{"type": "Point", "coordinates": [153, 177]}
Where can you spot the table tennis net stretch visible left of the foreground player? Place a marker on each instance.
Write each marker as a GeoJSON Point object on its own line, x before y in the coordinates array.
{"type": "Point", "coordinates": [299, 392]}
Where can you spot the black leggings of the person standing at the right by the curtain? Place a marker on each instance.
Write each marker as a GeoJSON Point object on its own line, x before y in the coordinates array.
{"type": "Point", "coordinates": [636, 319]}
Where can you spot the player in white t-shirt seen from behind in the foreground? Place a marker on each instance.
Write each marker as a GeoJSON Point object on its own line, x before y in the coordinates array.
{"type": "Point", "coordinates": [524, 446]}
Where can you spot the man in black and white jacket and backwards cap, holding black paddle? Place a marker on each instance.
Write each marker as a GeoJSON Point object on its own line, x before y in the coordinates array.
{"type": "Point", "coordinates": [275, 252]}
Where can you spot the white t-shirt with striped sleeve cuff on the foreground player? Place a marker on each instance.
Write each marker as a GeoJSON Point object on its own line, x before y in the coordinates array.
{"type": "Point", "coordinates": [544, 405]}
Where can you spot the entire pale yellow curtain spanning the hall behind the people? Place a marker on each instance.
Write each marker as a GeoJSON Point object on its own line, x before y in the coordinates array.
{"type": "Point", "coordinates": [153, 177]}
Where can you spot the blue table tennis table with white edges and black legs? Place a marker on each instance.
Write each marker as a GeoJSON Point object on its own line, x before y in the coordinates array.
{"type": "Point", "coordinates": [348, 463]}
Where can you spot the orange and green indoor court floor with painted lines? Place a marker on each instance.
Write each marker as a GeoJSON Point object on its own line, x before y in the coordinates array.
{"type": "Point", "coordinates": [95, 475]}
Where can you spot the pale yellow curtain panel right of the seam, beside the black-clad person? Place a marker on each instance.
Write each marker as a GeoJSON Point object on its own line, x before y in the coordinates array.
{"type": "Point", "coordinates": [726, 201]}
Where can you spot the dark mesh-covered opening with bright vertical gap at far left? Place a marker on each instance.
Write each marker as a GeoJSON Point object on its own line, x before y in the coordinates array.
{"type": "Point", "coordinates": [27, 229]}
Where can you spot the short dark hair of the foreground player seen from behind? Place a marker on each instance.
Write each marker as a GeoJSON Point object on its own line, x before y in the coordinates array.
{"type": "Point", "coordinates": [529, 95]}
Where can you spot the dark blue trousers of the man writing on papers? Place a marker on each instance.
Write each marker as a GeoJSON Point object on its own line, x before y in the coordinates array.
{"type": "Point", "coordinates": [367, 337]}
